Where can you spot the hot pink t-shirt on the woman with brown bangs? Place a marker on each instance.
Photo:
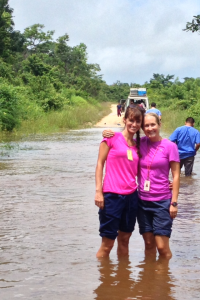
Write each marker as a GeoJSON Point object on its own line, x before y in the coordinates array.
{"type": "Point", "coordinates": [120, 172]}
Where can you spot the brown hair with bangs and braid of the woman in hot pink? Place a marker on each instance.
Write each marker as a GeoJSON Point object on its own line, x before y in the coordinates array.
{"type": "Point", "coordinates": [136, 113]}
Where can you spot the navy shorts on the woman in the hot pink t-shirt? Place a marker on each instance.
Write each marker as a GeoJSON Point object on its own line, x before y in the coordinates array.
{"type": "Point", "coordinates": [119, 213]}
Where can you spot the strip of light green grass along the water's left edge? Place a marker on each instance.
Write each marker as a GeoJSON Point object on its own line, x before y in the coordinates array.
{"type": "Point", "coordinates": [58, 121]}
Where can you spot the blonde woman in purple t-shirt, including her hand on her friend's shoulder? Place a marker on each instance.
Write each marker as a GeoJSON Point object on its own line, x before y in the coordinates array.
{"type": "Point", "coordinates": [157, 206]}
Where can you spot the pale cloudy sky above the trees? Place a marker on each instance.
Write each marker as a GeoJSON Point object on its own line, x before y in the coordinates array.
{"type": "Point", "coordinates": [129, 39]}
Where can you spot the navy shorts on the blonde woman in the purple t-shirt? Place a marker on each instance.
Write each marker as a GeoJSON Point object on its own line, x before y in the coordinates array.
{"type": "Point", "coordinates": [154, 216]}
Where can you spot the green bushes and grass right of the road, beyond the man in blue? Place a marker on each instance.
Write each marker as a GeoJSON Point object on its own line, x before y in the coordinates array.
{"type": "Point", "coordinates": [177, 99]}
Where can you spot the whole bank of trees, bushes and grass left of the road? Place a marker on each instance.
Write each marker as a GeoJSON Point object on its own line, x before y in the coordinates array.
{"type": "Point", "coordinates": [45, 85]}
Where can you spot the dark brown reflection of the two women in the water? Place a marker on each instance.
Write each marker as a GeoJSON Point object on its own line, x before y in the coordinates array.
{"type": "Point", "coordinates": [153, 282]}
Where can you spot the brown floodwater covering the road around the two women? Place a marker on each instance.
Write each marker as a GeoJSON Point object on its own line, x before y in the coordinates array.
{"type": "Point", "coordinates": [49, 229]}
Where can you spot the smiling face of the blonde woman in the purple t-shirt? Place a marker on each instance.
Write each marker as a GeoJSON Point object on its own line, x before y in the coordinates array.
{"type": "Point", "coordinates": [152, 127]}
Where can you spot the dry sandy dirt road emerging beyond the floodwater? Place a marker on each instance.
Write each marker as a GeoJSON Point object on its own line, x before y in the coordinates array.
{"type": "Point", "coordinates": [112, 120]}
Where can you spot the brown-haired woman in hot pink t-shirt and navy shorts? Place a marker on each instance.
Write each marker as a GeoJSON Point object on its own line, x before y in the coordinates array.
{"type": "Point", "coordinates": [117, 197]}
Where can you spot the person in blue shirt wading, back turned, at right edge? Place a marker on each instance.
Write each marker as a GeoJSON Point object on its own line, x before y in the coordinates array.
{"type": "Point", "coordinates": [187, 139]}
